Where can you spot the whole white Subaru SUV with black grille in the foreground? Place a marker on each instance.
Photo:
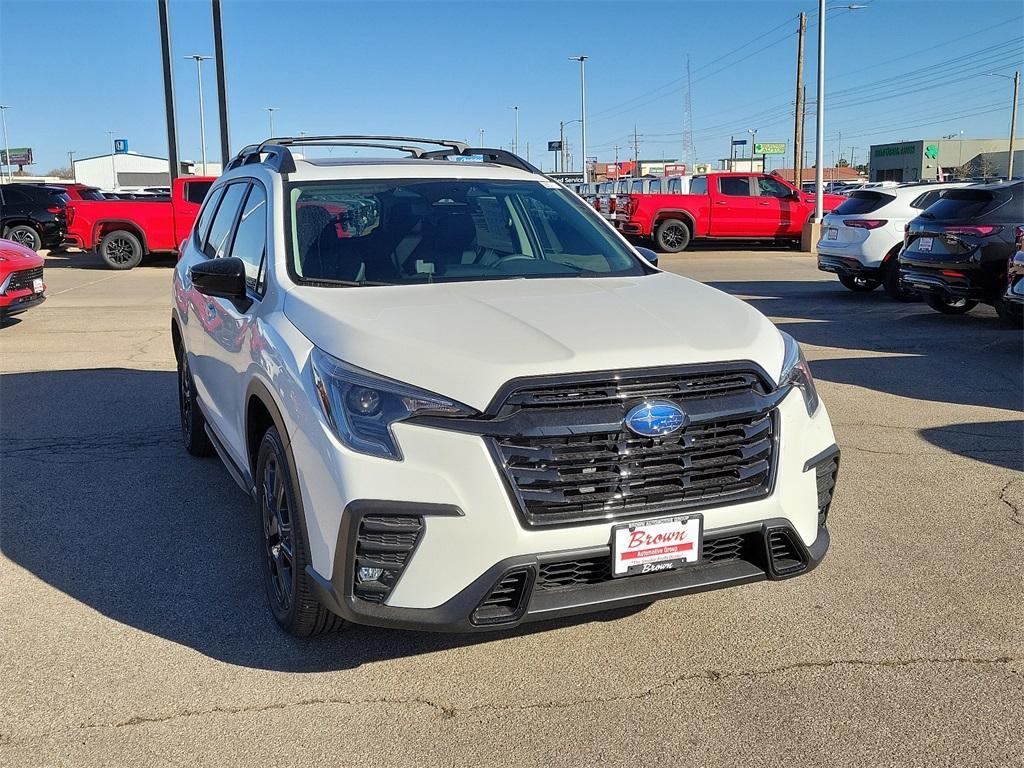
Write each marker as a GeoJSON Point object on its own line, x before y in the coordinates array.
{"type": "Point", "coordinates": [461, 401]}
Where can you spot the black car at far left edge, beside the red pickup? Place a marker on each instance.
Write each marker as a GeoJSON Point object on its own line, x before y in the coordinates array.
{"type": "Point", "coordinates": [33, 216]}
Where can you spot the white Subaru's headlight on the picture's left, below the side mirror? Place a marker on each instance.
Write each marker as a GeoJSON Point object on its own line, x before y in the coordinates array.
{"type": "Point", "coordinates": [361, 407]}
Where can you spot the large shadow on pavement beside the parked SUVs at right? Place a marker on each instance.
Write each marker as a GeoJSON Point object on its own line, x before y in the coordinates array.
{"type": "Point", "coordinates": [972, 360]}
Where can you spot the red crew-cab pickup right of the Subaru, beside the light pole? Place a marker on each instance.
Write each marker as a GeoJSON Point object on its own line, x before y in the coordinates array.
{"type": "Point", "coordinates": [728, 206]}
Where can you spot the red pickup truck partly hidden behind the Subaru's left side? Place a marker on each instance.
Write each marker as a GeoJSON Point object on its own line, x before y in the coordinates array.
{"type": "Point", "coordinates": [124, 231]}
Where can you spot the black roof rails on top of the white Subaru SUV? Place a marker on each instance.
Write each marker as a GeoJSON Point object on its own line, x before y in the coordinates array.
{"type": "Point", "coordinates": [280, 158]}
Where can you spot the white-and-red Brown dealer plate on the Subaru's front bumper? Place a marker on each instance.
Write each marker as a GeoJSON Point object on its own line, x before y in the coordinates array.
{"type": "Point", "coordinates": [656, 545]}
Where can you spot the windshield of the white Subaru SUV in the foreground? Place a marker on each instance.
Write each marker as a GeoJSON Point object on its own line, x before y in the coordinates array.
{"type": "Point", "coordinates": [428, 231]}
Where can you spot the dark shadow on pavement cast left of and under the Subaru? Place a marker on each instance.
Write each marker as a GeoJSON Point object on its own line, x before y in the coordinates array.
{"type": "Point", "coordinates": [103, 503]}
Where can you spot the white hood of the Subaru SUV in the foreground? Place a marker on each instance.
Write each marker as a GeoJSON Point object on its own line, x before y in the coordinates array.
{"type": "Point", "coordinates": [465, 340]}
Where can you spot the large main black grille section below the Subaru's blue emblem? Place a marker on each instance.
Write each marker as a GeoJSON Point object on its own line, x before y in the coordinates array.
{"type": "Point", "coordinates": [600, 476]}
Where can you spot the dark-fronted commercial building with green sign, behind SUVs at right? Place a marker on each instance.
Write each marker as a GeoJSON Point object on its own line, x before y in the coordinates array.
{"type": "Point", "coordinates": [928, 160]}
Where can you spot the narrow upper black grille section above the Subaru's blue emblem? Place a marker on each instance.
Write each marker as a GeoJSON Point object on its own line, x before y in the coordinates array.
{"type": "Point", "coordinates": [674, 387]}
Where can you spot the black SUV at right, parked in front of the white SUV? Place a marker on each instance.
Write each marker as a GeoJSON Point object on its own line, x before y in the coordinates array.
{"type": "Point", "coordinates": [956, 253]}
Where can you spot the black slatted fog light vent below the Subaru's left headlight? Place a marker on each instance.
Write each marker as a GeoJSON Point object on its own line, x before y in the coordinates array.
{"type": "Point", "coordinates": [383, 545]}
